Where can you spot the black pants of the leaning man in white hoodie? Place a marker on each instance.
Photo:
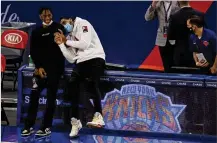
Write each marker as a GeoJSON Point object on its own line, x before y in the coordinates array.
{"type": "Point", "coordinates": [77, 87]}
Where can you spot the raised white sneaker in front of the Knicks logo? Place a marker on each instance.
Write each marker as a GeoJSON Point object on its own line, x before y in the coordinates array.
{"type": "Point", "coordinates": [97, 121]}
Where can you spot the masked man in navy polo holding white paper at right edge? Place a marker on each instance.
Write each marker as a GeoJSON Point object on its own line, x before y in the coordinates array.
{"type": "Point", "coordinates": [203, 45]}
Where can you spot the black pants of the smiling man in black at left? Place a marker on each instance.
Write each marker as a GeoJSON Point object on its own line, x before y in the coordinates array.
{"type": "Point", "coordinates": [51, 83]}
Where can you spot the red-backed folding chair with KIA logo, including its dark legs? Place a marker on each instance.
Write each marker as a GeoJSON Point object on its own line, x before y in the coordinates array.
{"type": "Point", "coordinates": [14, 39]}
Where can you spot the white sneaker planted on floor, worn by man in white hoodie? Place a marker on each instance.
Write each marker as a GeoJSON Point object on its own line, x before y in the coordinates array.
{"type": "Point", "coordinates": [76, 126]}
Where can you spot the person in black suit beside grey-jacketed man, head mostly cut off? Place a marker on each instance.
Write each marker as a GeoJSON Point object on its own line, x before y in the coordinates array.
{"type": "Point", "coordinates": [180, 33]}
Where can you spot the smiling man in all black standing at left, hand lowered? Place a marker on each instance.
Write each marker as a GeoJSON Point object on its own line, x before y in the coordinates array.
{"type": "Point", "coordinates": [49, 66]}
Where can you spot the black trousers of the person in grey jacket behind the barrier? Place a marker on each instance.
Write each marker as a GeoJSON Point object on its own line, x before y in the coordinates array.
{"type": "Point", "coordinates": [166, 53]}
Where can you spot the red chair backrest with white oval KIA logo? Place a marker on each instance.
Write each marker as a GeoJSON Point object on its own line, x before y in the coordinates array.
{"type": "Point", "coordinates": [14, 39]}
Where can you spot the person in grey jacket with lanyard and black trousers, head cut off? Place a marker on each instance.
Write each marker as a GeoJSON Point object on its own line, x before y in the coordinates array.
{"type": "Point", "coordinates": [162, 10]}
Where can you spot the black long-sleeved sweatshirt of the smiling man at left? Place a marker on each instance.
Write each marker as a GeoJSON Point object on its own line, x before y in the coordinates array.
{"type": "Point", "coordinates": [44, 51]}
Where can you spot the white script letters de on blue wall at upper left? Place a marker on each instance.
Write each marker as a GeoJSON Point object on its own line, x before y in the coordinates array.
{"type": "Point", "coordinates": [7, 16]}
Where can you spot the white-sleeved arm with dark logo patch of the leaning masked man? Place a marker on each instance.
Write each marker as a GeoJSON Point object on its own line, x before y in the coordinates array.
{"type": "Point", "coordinates": [83, 39]}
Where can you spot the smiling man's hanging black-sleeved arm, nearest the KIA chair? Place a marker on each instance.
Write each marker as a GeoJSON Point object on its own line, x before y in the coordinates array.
{"type": "Point", "coordinates": [34, 50]}
